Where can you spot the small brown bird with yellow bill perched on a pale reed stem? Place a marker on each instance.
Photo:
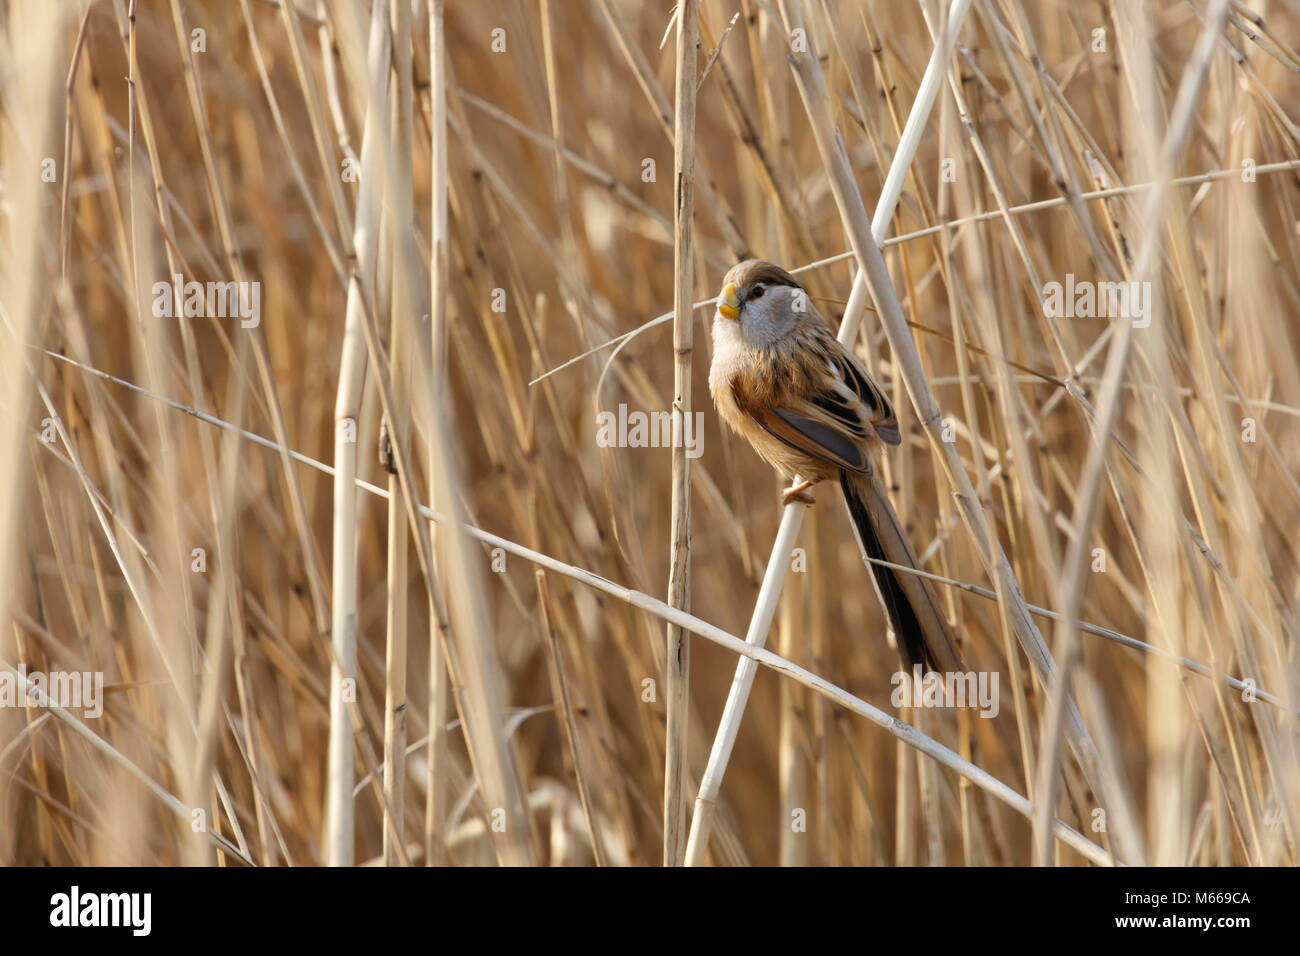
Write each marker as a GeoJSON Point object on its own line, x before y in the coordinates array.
{"type": "Point", "coordinates": [808, 406]}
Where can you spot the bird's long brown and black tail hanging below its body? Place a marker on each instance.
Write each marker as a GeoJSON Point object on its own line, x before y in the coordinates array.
{"type": "Point", "coordinates": [911, 602]}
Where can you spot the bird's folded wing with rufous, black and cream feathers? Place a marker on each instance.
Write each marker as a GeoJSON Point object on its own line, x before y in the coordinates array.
{"type": "Point", "coordinates": [835, 425]}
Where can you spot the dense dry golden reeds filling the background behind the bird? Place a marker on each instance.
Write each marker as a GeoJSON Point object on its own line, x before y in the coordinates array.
{"type": "Point", "coordinates": [294, 146]}
